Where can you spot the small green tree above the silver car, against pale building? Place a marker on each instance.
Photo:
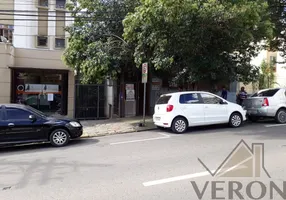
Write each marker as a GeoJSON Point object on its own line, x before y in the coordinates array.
{"type": "Point", "coordinates": [266, 76]}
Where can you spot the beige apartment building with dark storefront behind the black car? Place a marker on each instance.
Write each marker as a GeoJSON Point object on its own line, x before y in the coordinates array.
{"type": "Point", "coordinates": [31, 69]}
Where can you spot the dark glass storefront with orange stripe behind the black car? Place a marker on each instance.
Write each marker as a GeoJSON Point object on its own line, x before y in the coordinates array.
{"type": "Point", "coordinates": [43, 89]}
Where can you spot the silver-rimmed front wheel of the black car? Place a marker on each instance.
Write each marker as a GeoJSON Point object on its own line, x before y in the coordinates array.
{"type": "Point", "coordinates": [59, 138]}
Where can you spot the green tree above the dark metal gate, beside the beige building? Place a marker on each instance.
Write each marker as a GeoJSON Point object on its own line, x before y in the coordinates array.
{"type": "Point", "coordinates": [95, 46]}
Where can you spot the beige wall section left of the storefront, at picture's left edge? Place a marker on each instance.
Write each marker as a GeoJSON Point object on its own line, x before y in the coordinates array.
{"type": "Point", "coordinates": [6, 58]}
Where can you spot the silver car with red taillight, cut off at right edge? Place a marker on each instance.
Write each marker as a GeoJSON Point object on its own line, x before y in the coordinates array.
{"type": "Point", "coordinates": [267, 103]}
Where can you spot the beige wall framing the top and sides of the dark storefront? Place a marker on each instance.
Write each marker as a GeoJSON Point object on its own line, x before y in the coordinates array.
{"type": "Point", "coordinates": [30, 58]}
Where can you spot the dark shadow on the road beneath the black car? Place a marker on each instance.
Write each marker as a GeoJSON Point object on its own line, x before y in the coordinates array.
{"type": "Point", "coordinates": [35, 148]}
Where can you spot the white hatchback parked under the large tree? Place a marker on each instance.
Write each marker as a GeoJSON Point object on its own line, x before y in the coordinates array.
{"type": "Point", "coordinates": [181, 110]}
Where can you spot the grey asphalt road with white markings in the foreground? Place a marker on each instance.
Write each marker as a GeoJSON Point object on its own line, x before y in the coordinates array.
{"type": "Point", "coordinates": [146, 165]}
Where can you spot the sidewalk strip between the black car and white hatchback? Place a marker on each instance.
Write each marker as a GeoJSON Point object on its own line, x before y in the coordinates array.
{"type": "Point", "coordinates": [94, 128]}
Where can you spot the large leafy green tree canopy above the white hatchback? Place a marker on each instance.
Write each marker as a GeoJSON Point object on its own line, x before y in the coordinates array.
{"type": "Point", "coordinates": [200, 40]}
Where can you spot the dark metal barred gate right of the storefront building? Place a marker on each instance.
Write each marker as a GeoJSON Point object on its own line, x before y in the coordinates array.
{"type": "Point", "coordinates": [90, 102]}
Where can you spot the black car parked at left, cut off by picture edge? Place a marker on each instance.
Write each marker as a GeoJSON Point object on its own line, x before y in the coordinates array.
{"type": "Point", "coordinates": [21, 124]}
